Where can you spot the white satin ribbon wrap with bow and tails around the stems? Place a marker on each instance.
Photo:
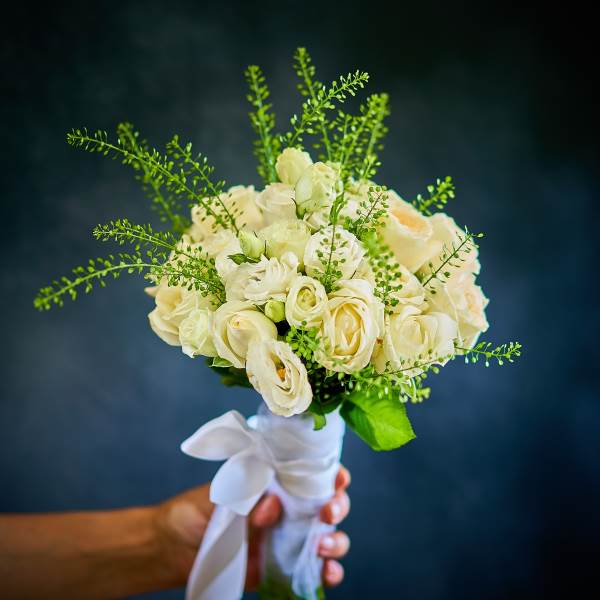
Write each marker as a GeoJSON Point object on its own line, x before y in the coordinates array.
{"type": "Point", "coordinates": [266, 453]}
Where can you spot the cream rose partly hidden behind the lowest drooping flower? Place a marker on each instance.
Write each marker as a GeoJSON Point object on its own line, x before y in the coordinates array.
{"type": "Point", "coordinates": [236, 325]}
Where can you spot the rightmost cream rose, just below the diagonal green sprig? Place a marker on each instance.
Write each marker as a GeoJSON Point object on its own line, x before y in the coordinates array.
{"type": "Point", "coordinates": [464, 301]}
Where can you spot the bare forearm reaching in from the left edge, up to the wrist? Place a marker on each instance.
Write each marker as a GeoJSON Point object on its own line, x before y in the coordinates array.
{"type": "Point", "coordinates": [102, 555]}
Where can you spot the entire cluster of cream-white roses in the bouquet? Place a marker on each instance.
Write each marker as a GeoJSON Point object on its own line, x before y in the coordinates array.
{"type": "Point", "coordinates": [285, 235]}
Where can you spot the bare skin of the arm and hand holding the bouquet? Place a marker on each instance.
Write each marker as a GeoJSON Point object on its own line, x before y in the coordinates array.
{"type": "Point", "coordinates": [120, 553]}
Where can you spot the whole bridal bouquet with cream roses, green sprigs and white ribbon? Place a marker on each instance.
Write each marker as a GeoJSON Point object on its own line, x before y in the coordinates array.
{"type": "Point", "coordinates": [323, 290]}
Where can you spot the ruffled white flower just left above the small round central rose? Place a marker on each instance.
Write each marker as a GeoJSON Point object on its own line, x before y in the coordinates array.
{"type": "Point", "coordinates": [268, 279]}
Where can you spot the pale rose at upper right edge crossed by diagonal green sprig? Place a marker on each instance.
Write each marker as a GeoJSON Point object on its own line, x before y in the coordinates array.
{"type": "Point", "coordinates": [447, 234]}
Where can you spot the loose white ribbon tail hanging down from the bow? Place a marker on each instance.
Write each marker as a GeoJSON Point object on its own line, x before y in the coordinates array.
{"type": "Point", "coordinates": [219, 571]}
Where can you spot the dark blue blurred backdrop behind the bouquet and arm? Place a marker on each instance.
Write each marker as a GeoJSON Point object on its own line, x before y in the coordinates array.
{"type": "Point", "coordinates": [498, 495]}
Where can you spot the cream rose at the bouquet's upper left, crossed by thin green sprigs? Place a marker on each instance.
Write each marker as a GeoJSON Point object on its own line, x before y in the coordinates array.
{"type": "Point", "coordinates": [240, 201]}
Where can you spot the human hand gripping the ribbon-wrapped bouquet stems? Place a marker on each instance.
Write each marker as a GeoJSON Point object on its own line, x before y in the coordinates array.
{"type": "Point", "coordinates": [181, 522]}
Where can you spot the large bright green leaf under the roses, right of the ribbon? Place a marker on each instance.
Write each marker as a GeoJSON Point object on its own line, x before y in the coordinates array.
{"type": "Point", "coordinates": [380, 422]}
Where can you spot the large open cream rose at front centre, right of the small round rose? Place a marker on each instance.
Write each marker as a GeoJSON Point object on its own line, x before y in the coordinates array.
{"type": "Point", "coordinates": [352, 323]}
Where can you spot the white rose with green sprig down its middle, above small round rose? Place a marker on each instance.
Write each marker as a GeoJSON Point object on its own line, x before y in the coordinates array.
{"type": "Point", "coordinates": [346, 256]}
